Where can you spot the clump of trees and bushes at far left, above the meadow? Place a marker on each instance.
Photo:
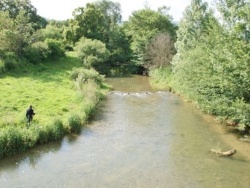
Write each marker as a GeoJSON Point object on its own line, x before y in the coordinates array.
{"type": "Point", "coordinates": [26, 36]}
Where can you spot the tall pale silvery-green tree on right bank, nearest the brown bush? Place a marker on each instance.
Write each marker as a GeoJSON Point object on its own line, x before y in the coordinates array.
{"type": "Point", "coordinates": [192, 70]}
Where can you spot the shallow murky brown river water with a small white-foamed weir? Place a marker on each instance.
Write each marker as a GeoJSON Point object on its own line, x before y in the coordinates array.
{"type": "Point", "coordinates": [138, 138]}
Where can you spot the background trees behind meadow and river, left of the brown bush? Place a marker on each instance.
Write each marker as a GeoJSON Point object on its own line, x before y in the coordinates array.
{"type": "Point", "coordinates": [96, 32]}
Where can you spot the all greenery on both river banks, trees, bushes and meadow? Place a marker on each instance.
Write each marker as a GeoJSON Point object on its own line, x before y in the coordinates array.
{"type": "Point", "coordinates": [203, 58]}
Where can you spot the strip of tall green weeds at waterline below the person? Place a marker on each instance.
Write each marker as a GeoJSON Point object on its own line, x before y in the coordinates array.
{"type": "Point", "coordinates": [17, 139]}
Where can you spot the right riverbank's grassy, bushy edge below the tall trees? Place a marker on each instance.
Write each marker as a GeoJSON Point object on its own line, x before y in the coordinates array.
{"type": "Point", "coordinates": [237, 119]}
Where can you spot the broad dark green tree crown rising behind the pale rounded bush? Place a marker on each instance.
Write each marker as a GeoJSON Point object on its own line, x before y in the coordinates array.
{"type": "Point", "coordinates": [95, 21]}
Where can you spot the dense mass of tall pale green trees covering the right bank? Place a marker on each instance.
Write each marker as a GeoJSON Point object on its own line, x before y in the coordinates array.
{"type": "Point", "coordinates": [212, 64]}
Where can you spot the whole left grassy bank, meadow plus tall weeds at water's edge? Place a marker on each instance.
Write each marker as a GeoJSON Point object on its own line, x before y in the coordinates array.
{"type": "Point", "coordinates": [63, 98]}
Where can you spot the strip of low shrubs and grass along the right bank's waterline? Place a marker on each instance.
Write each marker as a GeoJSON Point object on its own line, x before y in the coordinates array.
{"type": "Point", "coordinates": [236, 111]}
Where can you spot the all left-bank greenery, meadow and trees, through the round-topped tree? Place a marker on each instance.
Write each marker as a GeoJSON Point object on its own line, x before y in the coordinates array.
{"type": "Point", "coordinates": [64, 88]}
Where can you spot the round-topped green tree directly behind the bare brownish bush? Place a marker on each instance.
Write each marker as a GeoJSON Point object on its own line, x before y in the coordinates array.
{"type": "Point", "coordinates": [143, 26]}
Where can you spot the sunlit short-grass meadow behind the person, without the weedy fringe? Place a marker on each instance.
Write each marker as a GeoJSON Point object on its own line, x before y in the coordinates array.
{"type": "Point", "coordinates": [47, 87]}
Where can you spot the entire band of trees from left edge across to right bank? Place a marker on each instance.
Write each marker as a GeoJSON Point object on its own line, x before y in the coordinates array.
{"type": "Point", "coordinates": [205, 58]}
